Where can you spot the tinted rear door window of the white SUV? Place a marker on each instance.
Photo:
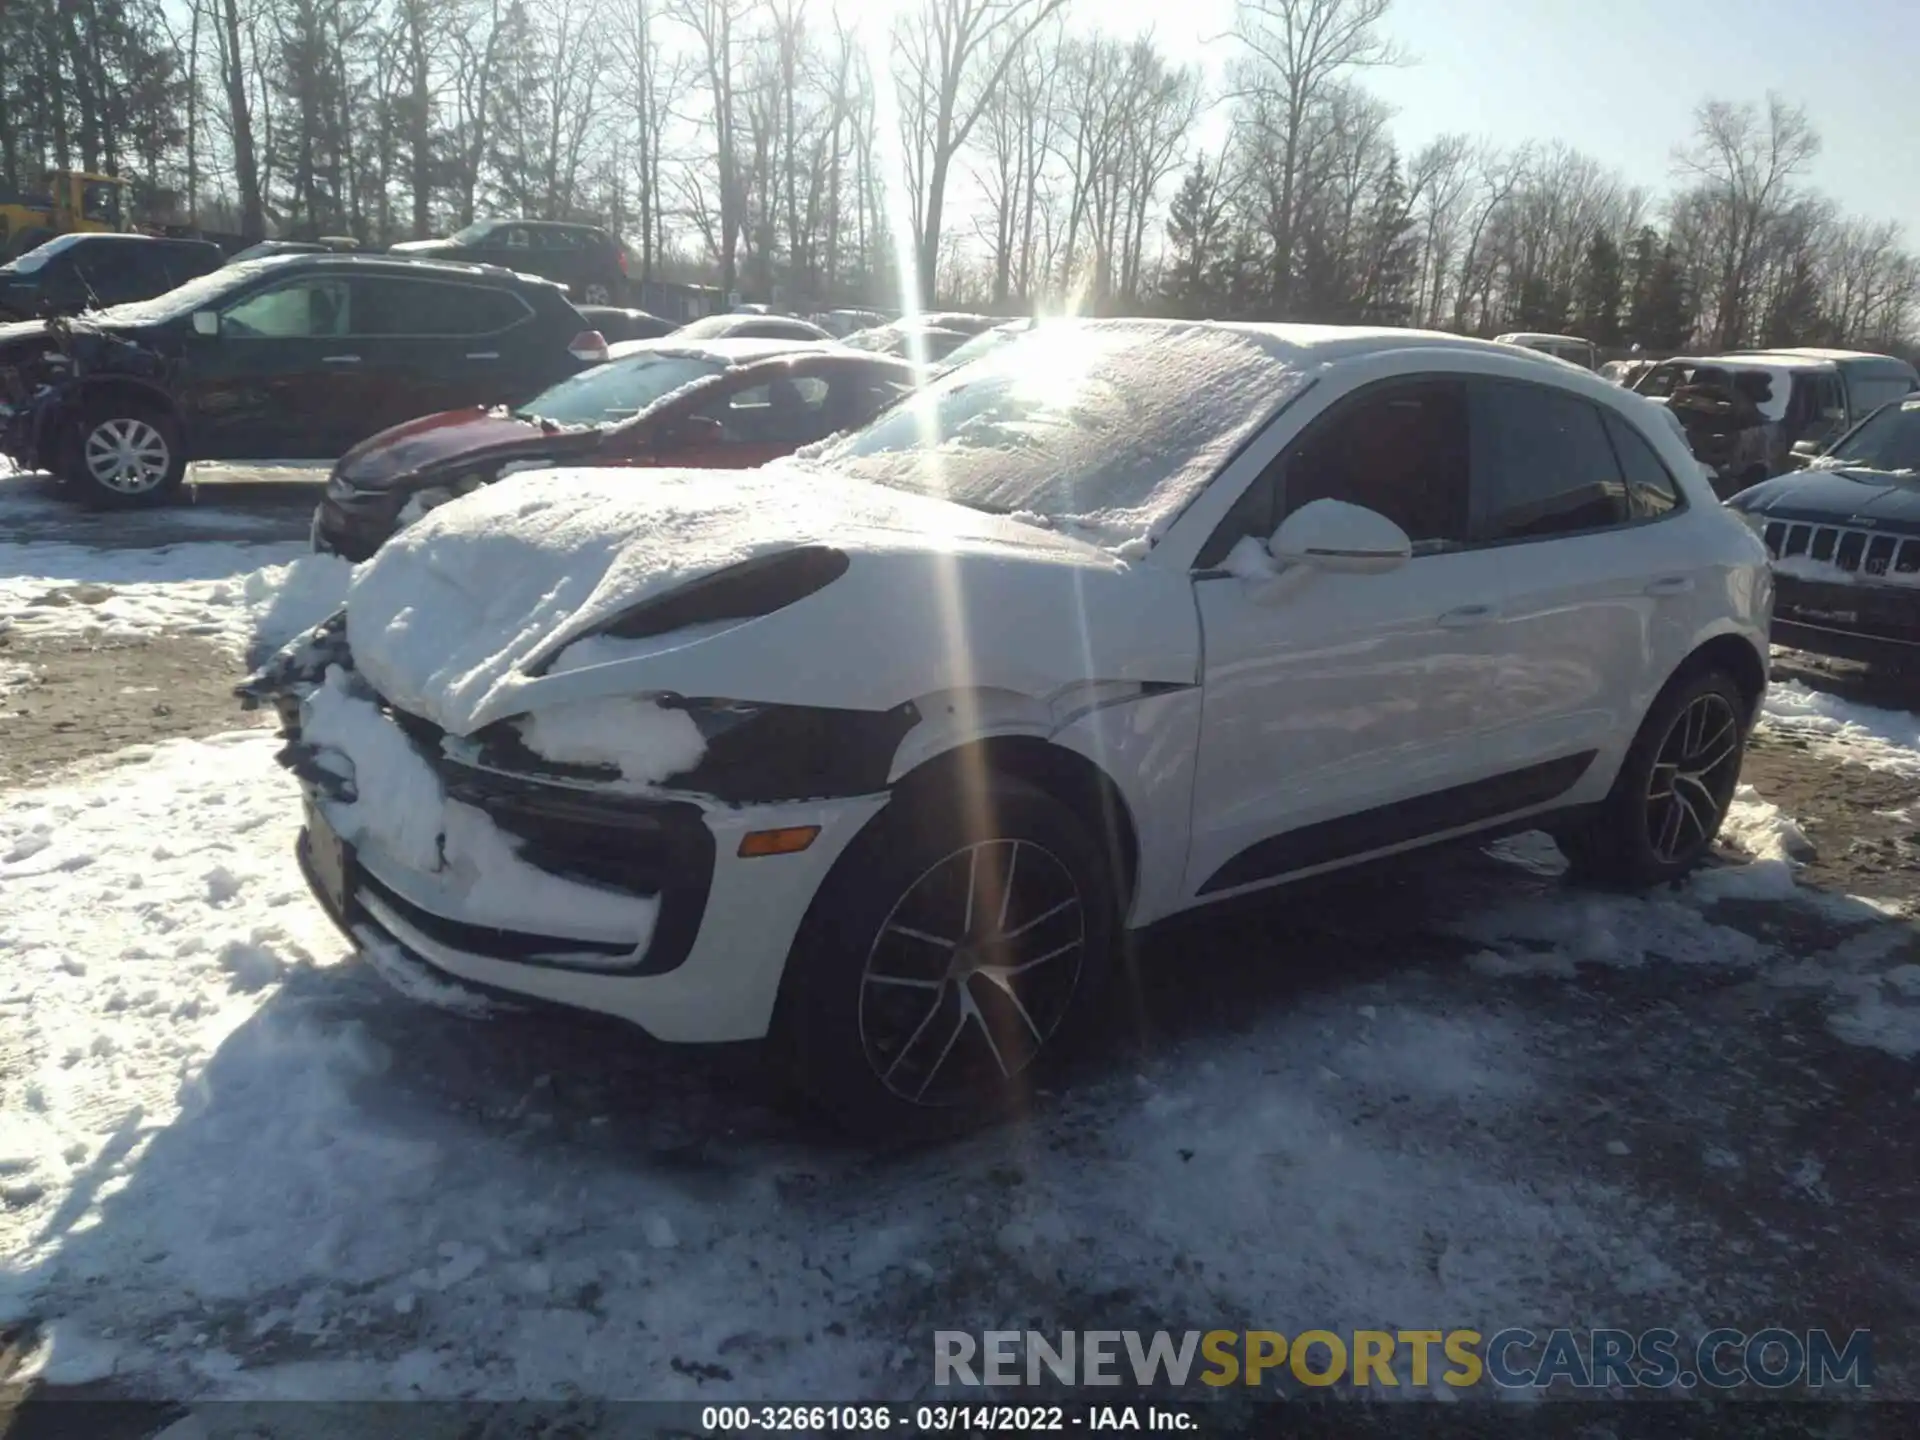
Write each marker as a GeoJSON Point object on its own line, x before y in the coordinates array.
{"type": "Point", "coordinates": [1543, 466]}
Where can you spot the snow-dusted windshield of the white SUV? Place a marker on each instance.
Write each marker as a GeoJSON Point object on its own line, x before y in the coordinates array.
{"type": "Point", "coordinates": [1111, 427]}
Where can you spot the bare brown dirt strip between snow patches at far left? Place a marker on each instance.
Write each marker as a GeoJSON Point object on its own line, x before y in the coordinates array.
{"type": "Point", "coordinates": [68, 700]}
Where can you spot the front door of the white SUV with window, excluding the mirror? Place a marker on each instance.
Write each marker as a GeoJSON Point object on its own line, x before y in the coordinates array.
{"type": "Point", "coordinates": [1345, 713]}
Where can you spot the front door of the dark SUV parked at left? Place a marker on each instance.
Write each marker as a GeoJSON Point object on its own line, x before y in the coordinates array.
{"type": "Point", "coordinates": [283, 377]}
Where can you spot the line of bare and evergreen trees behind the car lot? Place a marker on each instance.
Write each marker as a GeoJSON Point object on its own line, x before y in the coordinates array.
{"type": "Point", "coordinates": [996, 153]}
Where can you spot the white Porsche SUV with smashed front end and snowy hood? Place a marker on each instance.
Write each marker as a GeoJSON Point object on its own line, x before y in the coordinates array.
{"type": "Point", "coordinates": [878, 752]}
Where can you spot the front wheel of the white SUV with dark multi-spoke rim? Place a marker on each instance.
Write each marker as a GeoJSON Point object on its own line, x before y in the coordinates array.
{"type": "Point", "coordinates": [957, 949]}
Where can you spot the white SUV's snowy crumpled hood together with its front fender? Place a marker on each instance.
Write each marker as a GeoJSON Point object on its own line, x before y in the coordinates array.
{"type": "Point", "coordinates": [469, 615]}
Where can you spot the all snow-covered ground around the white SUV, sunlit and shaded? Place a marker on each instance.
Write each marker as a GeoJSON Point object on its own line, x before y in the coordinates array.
{"type": "Point", "coordinates": [237, 1164]}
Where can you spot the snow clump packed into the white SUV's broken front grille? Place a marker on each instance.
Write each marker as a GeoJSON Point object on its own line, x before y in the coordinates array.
{"type": "Point", "coordinates": [402, 809]}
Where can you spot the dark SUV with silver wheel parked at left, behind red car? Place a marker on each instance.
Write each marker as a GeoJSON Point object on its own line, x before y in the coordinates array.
{"type": "Point", "coordinates": [295, 358]}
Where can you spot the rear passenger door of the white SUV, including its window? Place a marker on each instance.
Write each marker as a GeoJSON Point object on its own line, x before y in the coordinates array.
{"type": "Point", "coordinates": [1585, 579]}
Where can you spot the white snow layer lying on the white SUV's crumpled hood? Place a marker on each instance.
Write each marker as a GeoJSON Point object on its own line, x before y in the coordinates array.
{"type": "Point", "coordinates": [450, 610]}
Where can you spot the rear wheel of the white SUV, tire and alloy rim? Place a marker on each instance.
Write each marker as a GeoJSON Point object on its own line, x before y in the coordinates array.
{"type": "Point", "coordinates": [1673, 790]}
